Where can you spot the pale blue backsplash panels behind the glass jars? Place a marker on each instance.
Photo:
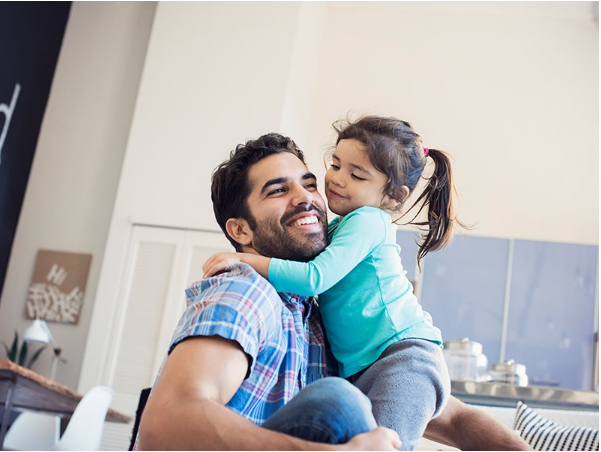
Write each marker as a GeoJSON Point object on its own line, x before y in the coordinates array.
{"type": "Point", "coordinates": [551, 301]}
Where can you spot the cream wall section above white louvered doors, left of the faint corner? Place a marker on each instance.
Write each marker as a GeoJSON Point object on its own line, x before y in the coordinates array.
{"type": "Point", "coordinates": [216, 73]}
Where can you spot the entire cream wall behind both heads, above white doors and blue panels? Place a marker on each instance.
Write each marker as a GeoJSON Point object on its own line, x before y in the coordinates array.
{"type": "Point", "coordinates": [509, 89]}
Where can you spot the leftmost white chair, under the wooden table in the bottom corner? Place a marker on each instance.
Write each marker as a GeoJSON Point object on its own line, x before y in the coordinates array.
{"type": "Point", "coordinates": [33, 431]}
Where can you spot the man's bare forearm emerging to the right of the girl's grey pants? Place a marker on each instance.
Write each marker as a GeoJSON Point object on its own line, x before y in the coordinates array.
{"type": "Point", "coordinates": [467, 428]}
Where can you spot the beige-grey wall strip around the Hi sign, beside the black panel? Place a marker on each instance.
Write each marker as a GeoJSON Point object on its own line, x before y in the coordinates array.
{"type": "Point", "coordinates": [74, 176]}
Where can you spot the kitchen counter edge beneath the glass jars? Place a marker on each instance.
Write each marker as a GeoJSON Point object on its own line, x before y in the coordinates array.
{"type": "Point", "coordinates": [505, 394]}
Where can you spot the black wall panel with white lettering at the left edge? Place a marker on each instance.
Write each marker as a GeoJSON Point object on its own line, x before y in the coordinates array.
{"type": "Point", "coordinates": [31, 34]}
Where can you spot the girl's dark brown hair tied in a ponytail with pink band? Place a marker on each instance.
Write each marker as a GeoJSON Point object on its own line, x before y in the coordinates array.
{"type": "Point", "coordinates": [397, 151]}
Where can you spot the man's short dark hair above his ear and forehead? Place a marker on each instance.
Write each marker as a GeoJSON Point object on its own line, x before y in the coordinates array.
{"type": "Point", "coordinates": [229, 183]}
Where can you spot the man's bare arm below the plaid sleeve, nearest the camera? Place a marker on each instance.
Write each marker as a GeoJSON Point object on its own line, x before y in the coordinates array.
{"type": "Point", "coordinates": [186, 410]}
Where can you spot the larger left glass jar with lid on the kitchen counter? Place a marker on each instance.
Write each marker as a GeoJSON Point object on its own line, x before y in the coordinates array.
{"type": "Point", "coordinates": [465, 360]}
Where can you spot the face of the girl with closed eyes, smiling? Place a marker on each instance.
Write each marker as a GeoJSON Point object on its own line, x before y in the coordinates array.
{"type": "Point", "coordinates": [352, 181]}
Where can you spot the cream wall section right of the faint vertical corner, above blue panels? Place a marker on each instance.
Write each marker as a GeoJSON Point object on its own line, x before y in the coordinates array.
{"type": "Point", "coordinates": [510, 89]}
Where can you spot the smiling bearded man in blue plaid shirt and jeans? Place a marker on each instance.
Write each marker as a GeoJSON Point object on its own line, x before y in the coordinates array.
{"type": "Point", "coordinates": [242, 359]}
